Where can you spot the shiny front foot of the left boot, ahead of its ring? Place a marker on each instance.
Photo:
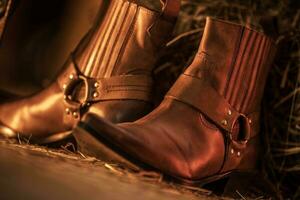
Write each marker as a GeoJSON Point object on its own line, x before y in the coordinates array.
{"type": "Point", "coordinates": [39, 115]}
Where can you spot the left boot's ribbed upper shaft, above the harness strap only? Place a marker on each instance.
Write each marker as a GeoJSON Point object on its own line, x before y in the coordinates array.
{"type": "Point", "coordinates": [126, 42]}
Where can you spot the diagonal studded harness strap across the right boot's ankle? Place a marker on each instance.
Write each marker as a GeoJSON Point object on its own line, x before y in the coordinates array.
{"type": "Point", "coordinates": [210, 103]}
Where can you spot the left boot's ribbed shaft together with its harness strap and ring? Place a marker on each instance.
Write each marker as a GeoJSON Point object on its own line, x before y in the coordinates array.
{"type": "Point", "coordinates": [115, 60]}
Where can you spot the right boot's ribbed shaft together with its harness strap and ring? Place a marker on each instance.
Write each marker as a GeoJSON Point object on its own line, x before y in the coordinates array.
{"type": "Point", "coordinates": [227, 78]}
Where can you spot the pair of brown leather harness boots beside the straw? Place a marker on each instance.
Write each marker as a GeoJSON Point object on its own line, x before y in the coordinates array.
{"type": "Point", "coordinates": [207, 126]}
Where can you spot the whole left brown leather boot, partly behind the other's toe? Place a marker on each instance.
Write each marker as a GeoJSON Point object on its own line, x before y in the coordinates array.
{"type": "Point", "coordinates": [109, 74]}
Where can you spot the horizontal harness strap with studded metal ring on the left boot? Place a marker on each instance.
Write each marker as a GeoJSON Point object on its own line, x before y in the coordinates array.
{"type": "Point", "coordinates": [122, 87]}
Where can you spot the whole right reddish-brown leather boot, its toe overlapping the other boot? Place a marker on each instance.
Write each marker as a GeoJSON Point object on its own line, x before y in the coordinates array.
{"type": "Point", "coordinates": [207, 127]}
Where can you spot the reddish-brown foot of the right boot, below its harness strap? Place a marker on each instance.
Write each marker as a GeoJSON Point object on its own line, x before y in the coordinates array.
{"type": "Point", "coordinates": [176, 139]}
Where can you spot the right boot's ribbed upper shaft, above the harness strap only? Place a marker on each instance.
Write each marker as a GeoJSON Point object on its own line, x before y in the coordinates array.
{"type": "Point", "coordinates": [236, 61]}
